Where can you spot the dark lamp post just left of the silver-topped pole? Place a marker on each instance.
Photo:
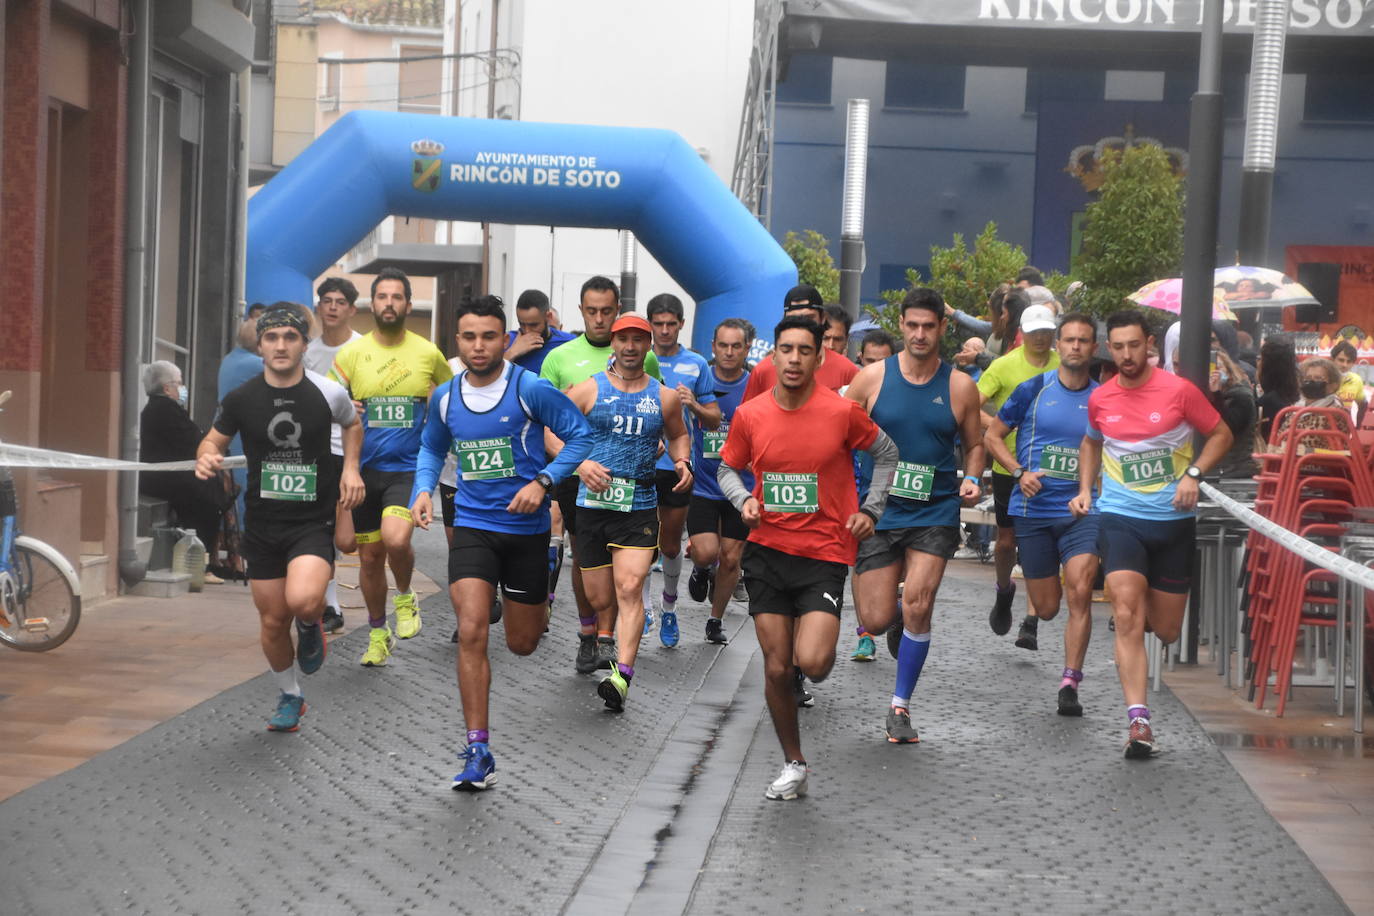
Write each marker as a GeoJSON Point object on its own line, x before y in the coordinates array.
{"type": "Point", "coordinates": [1204, 203]}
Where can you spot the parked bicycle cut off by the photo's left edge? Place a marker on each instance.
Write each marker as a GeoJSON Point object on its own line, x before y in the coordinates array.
{"type": "Point", "coordinates": [41, 593]}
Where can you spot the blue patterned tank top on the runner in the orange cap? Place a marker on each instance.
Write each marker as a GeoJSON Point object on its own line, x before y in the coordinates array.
{"type": "Point", "coordinates": [626, 429]}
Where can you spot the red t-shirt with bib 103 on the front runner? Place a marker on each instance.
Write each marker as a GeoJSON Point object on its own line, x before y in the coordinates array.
{"type": "Point", "coordinates": [813, 447]}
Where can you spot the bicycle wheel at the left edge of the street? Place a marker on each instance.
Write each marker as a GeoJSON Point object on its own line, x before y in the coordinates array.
{"type": "Point", "coordinates": [38, 609]}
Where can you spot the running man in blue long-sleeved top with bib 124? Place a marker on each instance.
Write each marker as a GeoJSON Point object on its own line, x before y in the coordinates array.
{"type": "Point", "coordinates": [493, 420]}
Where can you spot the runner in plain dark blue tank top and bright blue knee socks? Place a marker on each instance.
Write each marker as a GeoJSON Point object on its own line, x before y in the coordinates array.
{"type": "Point", "coordinates": [923, 407]}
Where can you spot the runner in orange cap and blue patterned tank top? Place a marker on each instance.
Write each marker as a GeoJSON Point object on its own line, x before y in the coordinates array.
{"type": "Point", "coordinates": [618, 520]}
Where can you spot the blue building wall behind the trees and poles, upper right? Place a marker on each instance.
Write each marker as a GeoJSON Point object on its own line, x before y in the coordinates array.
{"type": "Point", "coordinates": [939, 171]}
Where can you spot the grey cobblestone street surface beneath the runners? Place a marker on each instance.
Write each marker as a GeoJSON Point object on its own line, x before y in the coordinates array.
{"type": "Point", "coordinates": [1004, 807]}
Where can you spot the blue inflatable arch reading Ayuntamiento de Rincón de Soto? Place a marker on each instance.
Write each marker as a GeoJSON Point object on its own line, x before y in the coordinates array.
{"type": "Point", "coordinates": [370, 165]}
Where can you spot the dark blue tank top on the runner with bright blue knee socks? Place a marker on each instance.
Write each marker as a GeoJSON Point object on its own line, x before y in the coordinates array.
{"type": "Point", "coordinates": [920, 420]}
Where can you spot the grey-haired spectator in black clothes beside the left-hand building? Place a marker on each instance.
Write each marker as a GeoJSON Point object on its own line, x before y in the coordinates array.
{"type": "Point", "coordinates": [170, 435]}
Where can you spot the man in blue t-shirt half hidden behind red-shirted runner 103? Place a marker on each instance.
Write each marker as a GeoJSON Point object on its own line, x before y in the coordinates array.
{"type": "Point", "coordinates": [715, 529]}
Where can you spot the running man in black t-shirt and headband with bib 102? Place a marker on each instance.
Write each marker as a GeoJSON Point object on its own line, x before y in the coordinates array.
{"type": "Point", "coordinates": [285, 418]}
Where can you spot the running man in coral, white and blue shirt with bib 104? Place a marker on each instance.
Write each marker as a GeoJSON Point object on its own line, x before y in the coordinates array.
{"type": "Point", "coordinates": [1141, 428]}
